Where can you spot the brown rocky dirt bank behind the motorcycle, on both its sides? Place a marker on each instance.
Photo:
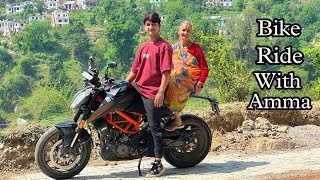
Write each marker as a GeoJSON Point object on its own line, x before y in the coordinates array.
{"type": "Point", "coordinates": [234, 129]}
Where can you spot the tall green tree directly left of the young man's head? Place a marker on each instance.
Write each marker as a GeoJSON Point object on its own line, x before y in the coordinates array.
{"type": "Point", "coordinates": [123, 25]}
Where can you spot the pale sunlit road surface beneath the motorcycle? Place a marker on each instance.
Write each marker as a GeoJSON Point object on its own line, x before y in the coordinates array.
{"type": "Point", "coordinates": [224, 166]}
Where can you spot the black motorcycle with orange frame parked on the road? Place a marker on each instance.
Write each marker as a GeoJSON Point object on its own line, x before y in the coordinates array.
{"type": "Point", "coordinates": [114, 110]}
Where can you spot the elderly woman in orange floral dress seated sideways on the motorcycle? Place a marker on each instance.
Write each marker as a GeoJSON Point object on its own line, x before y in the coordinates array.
{"type": "Point", "coordinates": [189, 74]}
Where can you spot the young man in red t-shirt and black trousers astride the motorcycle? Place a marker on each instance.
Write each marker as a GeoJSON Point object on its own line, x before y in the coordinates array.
{"type": "Point", "coordinates": [151, 72]}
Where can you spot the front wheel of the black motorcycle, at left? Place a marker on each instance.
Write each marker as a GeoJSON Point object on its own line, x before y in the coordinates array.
{"type": "Point", "coordinates": [54, 163]}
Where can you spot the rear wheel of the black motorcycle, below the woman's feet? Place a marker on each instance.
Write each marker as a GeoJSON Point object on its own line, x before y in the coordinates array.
{"type": "Point", "coordinates": [199, 144]}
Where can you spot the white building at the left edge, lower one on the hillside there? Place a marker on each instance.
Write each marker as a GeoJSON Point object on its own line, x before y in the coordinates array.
{"type": "Point", "coordinates": [8, 27]}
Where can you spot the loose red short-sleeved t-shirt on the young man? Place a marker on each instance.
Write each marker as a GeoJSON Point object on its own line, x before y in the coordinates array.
{"type": "Point", "coordinates": [152, 59]}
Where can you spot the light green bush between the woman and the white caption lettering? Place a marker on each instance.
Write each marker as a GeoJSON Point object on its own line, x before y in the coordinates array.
{"type": "Point", "coordinates": [229, 75]}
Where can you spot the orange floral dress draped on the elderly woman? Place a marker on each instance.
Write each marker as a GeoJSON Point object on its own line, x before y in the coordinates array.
{"type": "Point", "coordinates": [184, 77]}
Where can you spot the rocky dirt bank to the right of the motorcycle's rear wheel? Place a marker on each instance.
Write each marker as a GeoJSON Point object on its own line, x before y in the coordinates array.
{"type": "Point", "coordinates": [236, 128]}
